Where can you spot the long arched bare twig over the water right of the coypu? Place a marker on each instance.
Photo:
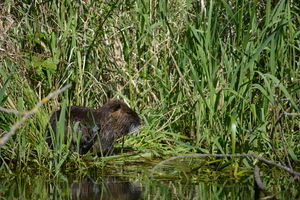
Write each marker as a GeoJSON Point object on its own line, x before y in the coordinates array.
{"type": "Point", "coordinates": [285, 168]}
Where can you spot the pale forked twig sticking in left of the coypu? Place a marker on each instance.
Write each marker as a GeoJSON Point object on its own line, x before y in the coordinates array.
{"type": "Point", "coordinates": [27, 114]}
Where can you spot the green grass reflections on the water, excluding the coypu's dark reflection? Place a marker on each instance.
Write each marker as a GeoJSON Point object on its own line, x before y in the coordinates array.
{"type": "Point", "coordinates": [210, 185]}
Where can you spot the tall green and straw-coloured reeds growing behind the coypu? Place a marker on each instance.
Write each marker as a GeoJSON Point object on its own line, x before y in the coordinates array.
{"type": "Point", "coordinates": [210, 79]}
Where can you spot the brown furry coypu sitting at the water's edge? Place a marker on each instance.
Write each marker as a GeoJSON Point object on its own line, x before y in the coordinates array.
{"type": "Point", "coordinates": [105, 124]}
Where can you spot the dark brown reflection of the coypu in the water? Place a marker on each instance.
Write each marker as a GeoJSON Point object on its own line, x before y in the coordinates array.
{"type": "Point", "coordinates": [109, 188]}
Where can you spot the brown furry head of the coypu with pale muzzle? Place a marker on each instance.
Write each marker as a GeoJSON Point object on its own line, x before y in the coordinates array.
{"type": "Point", "coordinates": [118, 118]}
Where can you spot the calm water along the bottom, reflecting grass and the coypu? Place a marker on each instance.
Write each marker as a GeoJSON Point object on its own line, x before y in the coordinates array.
{"type": "Point", "coordinates": [134, 182]}
